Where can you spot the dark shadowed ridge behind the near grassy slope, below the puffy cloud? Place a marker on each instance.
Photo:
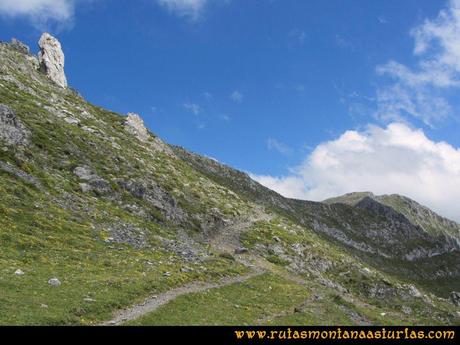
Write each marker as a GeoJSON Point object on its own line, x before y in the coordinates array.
{"type": "Point", "coordinates": [370, 229]}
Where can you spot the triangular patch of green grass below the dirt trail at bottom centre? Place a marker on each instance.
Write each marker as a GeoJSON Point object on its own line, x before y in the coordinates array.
{"type": "Point", "coordinates": [268, 299]}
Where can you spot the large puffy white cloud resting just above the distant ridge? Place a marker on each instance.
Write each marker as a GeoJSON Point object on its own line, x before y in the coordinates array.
{"type": "Point", "coordinates": [396, 159]}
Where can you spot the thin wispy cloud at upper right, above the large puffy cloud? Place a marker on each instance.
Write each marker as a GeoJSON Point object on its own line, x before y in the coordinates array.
{"type": "Point", "coordinates": [420, 92]}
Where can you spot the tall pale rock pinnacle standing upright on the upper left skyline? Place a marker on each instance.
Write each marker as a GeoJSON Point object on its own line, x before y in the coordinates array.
{"type": "Point", "coordinates": [51, 59]}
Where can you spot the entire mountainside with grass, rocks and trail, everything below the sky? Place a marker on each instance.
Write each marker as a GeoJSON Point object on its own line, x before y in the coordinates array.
{"type": "Point", "coordinates": [102, 222]}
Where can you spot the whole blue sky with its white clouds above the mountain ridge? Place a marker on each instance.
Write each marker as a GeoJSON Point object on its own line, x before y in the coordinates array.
{"type": "Point", "coordinates": [313, 98]}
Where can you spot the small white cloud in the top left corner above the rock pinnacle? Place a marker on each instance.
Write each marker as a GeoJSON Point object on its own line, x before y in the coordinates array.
{"type": "Point", "coordinates": [40, 12]}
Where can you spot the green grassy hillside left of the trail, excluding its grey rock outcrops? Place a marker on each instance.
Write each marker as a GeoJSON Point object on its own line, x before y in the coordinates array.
{"type": "Point", "coordinates": [57, 231]}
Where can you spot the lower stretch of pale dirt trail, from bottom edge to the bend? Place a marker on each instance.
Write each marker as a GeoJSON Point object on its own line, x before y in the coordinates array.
{"type": "Point", "coordinates": [152, 303]}
